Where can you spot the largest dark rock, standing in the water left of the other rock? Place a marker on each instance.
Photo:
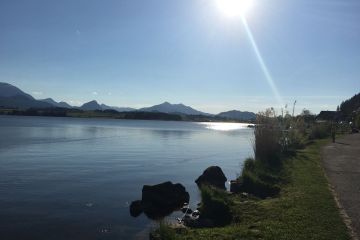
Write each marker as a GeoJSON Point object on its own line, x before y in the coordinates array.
{"type": "Point", "coordinates": [160, 200]}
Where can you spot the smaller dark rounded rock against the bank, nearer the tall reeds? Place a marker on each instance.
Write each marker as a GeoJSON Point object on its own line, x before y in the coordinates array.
{"type": "Point", "coordinates": [212, 176]}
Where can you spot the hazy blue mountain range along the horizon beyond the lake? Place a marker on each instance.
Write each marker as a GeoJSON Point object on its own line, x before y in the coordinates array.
{"type": "Point", "coordinates": [13, 97]}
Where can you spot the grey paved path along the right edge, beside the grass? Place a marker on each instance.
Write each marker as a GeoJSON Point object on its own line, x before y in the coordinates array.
{"type": "Point", "coordinates": [342, 166]}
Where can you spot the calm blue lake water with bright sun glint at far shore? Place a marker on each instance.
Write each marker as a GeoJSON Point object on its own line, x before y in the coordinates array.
{"type": "Point", "coordinates": [71, 178]}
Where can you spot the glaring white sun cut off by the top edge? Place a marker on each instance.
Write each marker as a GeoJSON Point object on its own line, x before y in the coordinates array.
{"type": "Point", "coordinates": [234, 8]}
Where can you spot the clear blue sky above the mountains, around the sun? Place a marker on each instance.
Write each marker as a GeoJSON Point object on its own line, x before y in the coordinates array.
{"type": "Point", "coordinates": [138, 53]}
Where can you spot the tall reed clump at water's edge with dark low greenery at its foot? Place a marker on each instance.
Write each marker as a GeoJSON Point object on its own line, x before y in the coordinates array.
{"type": "Point", "coordinates": [260, 175]}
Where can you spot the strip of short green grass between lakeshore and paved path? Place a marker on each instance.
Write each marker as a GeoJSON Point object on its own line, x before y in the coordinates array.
{"type": "Point", "coordinates": [305, 208]}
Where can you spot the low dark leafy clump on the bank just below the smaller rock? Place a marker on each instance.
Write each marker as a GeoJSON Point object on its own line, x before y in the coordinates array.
{"type": "Point", "coordinates": [214, 206]}
